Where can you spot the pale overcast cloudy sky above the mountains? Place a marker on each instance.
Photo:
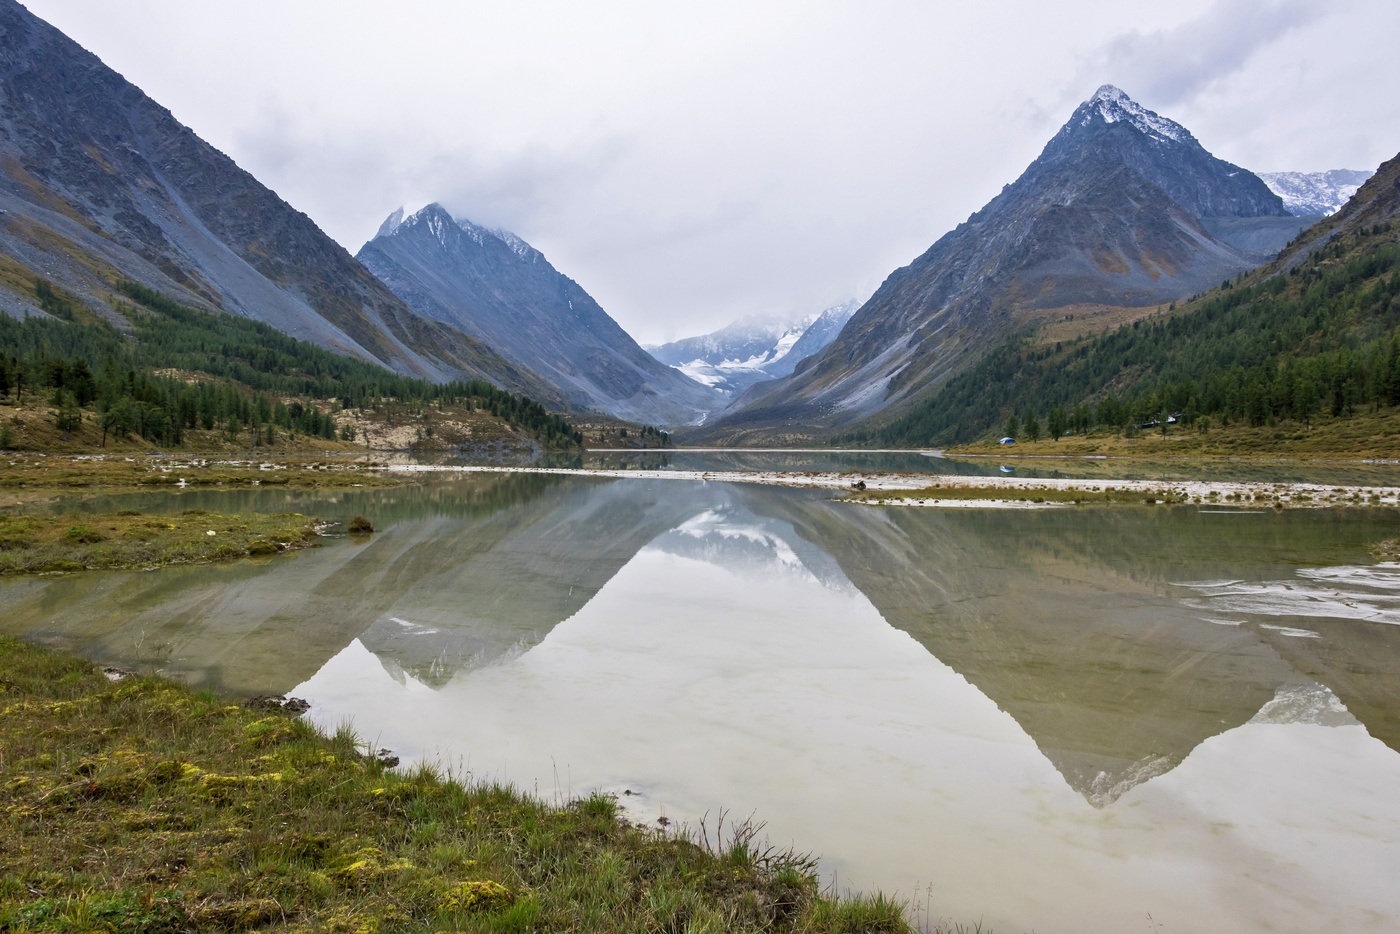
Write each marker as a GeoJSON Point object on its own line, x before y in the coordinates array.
{"type": "Point", "coordinates": [689, 165]}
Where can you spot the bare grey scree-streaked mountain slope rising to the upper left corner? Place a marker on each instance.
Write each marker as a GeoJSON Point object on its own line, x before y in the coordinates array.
{"type": "Point", "coordinates": [99, 183]}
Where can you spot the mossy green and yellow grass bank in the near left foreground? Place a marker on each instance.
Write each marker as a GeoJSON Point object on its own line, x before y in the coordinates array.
{"type": "Point", "coordinates": [141, 806]}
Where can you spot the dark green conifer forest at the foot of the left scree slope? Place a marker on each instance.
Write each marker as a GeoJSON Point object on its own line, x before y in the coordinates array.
{"type": "Point", "coordinates": [180, 369]}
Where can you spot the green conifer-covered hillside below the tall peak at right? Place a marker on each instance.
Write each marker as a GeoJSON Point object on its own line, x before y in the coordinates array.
{"type": "Point", "coordinates": [1317, 331]}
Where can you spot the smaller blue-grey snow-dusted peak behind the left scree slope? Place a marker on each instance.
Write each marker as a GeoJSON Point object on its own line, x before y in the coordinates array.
{"type": "Point", "coordinates": [498, 288]}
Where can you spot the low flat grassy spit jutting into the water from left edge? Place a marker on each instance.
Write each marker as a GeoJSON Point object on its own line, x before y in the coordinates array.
{"type": "Point", "coordinates": [129, 540]}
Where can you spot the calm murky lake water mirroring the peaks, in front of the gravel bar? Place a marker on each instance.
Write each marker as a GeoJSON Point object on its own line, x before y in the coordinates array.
{"type": "Point", "coordinates": [1065, 720]}
